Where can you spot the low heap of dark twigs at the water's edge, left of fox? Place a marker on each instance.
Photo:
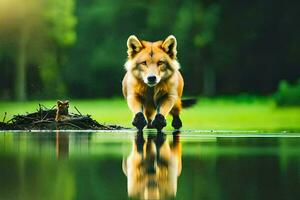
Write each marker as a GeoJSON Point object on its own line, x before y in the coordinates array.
{"type": "Point", "coordinates": [44, 119]}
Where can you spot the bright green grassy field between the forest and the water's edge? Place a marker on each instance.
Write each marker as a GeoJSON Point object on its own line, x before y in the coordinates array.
{"type": "Point", "coordinates": [217, 114]}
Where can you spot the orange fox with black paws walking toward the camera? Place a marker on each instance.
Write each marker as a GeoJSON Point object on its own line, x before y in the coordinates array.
{"type": "Point", "coordinates": [153, 84]}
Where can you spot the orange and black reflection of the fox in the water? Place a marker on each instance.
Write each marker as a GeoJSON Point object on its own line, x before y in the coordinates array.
{"type": "Point", "coordinates": [153, 166]}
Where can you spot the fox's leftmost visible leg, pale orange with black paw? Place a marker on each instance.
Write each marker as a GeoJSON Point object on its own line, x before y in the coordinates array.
{"type": "Point", "coordinates": [136, 107]}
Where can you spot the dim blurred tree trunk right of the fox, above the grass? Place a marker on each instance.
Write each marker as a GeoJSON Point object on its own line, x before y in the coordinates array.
{"type": "Point", "coordinates": [209, 81]}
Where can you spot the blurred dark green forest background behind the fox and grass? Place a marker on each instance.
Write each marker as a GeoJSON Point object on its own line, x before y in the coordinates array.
{"type": "Point", "coordinates": [77, 48]}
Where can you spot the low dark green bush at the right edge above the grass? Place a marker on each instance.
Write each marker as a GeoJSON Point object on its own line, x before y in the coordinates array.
{"type": "Point", "coordinates": [288, 94]}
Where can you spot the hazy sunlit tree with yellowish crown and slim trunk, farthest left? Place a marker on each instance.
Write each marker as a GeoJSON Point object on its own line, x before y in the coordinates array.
{"type": "Point", "coordinates": [18, 19]}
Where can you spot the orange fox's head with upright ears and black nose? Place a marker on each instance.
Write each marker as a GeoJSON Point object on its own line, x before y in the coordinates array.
{"type": "Point", "coordinates": [152, 62]}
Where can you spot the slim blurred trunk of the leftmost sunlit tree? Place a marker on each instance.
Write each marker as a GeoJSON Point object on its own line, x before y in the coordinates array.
{"type": "Point", "coordinates": [20, 81]}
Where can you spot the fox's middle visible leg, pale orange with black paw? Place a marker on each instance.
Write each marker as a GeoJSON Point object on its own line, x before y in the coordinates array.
{"type": "Point", "coordinates": [163, 110]}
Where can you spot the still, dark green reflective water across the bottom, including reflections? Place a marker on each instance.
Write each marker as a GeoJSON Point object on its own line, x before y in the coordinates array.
{"type": "Point", "coordinates": [117, 165]}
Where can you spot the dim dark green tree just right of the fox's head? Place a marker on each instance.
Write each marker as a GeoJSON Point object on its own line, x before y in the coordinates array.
{"type": "Point", "coordinates": [196, 24]}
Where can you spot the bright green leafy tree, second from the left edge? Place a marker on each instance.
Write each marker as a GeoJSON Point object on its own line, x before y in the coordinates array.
{"type": "Point", "coordinates": [59, 21]}
